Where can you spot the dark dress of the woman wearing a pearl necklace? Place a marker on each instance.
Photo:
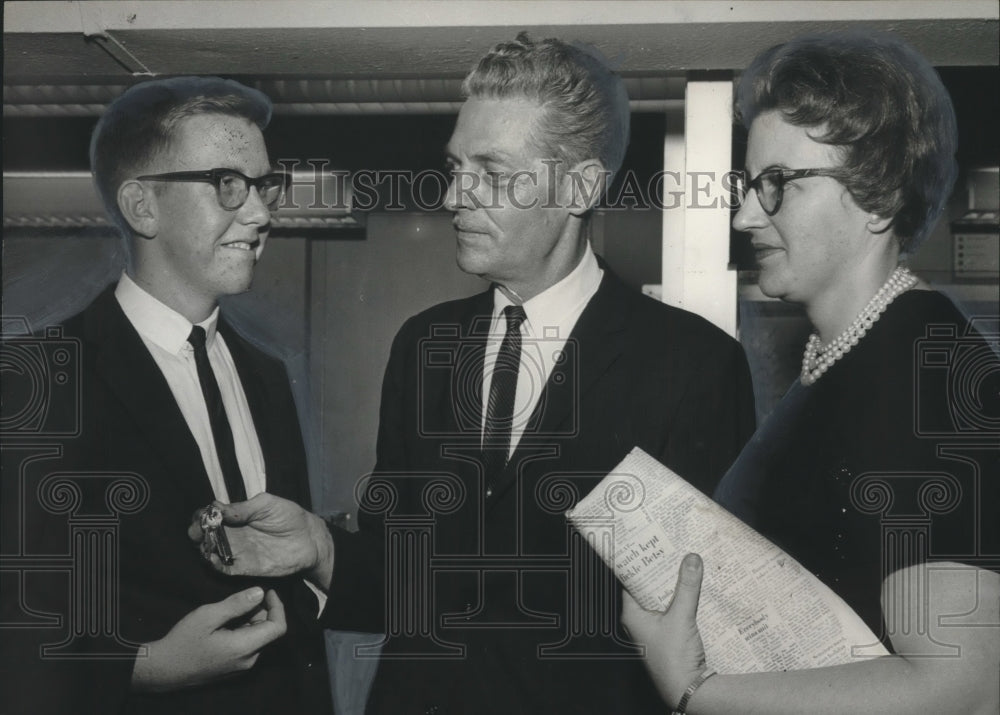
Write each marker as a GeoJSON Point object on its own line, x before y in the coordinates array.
{"type": "Point", "coordinates": [891, 458]}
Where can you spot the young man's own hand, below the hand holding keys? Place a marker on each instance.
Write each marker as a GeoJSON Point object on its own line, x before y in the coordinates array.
{"type": "Point", "coordinates": [205, 645]}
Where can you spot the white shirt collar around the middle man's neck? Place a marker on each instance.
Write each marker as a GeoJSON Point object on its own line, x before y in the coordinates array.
{"type": "Point", "coordinates": [550, 307]}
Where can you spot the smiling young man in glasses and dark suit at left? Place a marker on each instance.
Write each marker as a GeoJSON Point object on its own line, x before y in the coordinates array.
{"type": "Point", "coordinates": [171, 394]}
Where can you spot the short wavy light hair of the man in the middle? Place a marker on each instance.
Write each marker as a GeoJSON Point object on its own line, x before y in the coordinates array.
{"type": "Point", "coordinates": [586, 105]}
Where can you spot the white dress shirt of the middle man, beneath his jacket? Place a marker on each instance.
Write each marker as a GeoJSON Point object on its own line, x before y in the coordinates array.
{"type": "Point", "coordinates": [551, 317]}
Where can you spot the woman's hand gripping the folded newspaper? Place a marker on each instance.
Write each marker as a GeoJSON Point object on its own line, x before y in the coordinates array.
{"type": "Point", "coordinates": [675, 654]}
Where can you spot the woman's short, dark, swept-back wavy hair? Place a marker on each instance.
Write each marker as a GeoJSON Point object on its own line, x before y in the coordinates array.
{"type": "Point", "coordinates": [881, 104]}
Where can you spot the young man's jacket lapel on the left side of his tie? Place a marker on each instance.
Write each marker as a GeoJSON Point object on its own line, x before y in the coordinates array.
{"type": "Point", "coordinates": [123, 362]}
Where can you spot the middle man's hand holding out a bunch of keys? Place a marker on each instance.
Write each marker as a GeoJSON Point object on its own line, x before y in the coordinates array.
{"type": "Point", "coordinates": [270, 536]}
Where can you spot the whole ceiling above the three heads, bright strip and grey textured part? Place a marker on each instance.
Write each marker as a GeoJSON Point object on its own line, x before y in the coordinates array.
{"type": "Point", "coordinates": [74, 44]}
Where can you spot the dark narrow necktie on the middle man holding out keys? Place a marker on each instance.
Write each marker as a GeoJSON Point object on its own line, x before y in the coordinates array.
{"type": "Point", "coordinates": [500, 406]}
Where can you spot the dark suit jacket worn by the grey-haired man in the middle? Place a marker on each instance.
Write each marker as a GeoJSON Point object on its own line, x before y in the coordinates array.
{"type": "Point", "coordinates": [520, 617]}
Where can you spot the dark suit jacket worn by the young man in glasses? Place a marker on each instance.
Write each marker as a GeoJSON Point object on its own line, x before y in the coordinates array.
{"type": "Point", "coordinates": [130, 427]}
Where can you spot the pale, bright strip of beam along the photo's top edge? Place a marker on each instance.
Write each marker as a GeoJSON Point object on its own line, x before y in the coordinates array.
{"type": "Point", "coordinates": [64, 16]}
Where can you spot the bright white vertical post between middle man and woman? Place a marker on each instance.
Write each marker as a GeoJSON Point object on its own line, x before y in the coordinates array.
{"type": "Point", "coordinates": [696, 274]}
